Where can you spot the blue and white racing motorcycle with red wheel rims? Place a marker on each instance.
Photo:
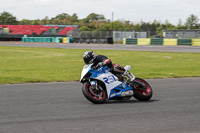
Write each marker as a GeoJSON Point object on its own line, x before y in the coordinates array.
{"type": "Point", "coordinates": [99, 85]}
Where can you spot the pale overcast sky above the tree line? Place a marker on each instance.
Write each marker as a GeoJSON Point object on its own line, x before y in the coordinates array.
{"type": "Point", "coordinates": [131, 10]}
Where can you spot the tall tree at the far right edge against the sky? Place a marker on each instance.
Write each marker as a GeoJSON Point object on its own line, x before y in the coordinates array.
{"type": "Point", "coordinates": [192, 22]}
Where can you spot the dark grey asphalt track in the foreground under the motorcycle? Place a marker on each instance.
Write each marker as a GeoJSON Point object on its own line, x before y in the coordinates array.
{"type": "Point", "coordinates": [61, 108]}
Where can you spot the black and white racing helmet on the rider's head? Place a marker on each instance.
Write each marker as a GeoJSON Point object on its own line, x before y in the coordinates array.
{"type": "Point", "coordinates": [89, 57]}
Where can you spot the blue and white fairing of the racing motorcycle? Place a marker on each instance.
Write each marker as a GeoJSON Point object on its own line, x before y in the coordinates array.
{"type": "Point", "coordinates": [114, 87]}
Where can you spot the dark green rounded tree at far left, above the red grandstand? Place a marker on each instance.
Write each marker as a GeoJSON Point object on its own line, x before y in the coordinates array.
{"type": "Point", "coordinates": [7, 18]}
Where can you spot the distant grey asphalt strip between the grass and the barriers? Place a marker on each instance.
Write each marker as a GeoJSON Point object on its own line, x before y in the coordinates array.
{"type": "Point", "coordinates": [192, 49]}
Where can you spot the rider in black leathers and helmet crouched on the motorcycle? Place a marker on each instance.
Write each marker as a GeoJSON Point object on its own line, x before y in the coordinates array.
{"type": "Point", "coordinates": [101, 60]}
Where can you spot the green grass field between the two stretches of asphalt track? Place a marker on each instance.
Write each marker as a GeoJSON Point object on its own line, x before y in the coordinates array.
{"type": "Point", "coordinates": [25, 64]}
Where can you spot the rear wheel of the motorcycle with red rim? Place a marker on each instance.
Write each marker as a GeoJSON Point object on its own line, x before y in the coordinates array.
{"type": "Point", "coordinates": [143, 95]}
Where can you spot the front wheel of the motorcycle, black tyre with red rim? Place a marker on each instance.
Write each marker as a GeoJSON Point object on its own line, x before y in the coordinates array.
{"type": "Point", "coordinates": [94, 96]}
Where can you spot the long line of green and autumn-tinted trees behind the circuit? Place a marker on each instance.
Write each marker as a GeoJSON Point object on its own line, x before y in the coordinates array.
{"type": "Point", "coordinates": [99, 23]}
